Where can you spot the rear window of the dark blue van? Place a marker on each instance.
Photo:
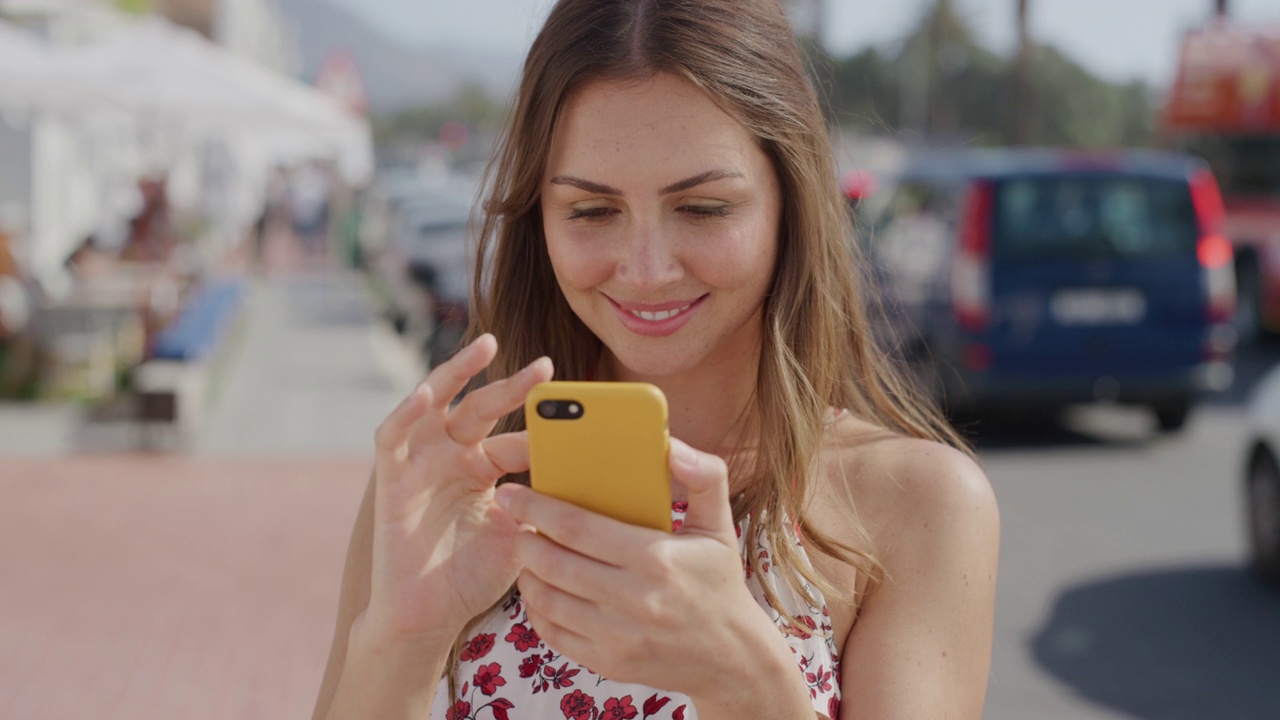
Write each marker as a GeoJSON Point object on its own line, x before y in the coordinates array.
{"type": "Point", "coordinates": [1094, 217]}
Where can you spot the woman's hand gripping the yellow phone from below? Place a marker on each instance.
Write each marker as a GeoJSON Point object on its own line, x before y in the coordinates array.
{"type": "Point", "coordinates": [637, 605]}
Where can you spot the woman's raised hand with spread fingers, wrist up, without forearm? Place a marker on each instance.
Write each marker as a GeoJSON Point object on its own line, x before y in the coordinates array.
{"type": "Point", "coordinates": [442, 552]}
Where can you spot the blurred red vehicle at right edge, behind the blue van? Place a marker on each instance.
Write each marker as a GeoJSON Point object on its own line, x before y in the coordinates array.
{"type": "Point", "coordinates": [1226, 107]}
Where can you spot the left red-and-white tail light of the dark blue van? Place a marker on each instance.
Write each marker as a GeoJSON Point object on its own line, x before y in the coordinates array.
{"type": "Point", "coordinates": [971, 274]}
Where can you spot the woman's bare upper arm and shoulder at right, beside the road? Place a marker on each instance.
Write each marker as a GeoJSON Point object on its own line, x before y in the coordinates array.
{"type": "Point", "coordinates": [921, 646]}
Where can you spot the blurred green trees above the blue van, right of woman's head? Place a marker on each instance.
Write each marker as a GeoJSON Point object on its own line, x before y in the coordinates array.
{"type": "Point", "coordinates": [943, 86]}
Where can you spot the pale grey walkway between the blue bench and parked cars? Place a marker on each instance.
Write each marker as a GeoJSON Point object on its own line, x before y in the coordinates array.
{"type": "Point", "coordinates": [317, 373]}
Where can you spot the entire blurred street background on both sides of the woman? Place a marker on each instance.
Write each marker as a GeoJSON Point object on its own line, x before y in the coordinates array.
{"type": "Point", "coordinates": [232, 238]}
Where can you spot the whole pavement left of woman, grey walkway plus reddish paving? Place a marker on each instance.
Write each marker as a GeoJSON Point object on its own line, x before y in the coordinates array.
{"type": "Point", "coordinates": [200, 585]}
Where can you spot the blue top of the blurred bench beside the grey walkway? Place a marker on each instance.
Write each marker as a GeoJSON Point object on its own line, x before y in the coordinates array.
{"type": "Point", "coordinates": [203, 322]}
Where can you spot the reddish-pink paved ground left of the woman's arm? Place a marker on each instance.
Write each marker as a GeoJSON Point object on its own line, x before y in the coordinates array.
{"type": "Point", "coordinates": [140, 589]}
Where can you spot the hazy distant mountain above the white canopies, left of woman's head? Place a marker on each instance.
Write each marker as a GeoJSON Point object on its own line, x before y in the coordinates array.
{"type": "Point", "coordinates": [396, 76]}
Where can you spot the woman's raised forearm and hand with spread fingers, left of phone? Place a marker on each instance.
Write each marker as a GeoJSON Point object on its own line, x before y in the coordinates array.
{"type": "Point", "coordinates": [429, 550]}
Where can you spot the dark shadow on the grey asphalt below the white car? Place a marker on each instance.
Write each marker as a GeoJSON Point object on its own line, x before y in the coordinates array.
{"type": "Point", "coordinates": [1182, 644]}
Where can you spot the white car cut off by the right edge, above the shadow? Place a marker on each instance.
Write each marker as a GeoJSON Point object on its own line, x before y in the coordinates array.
{"type": "Point", "coordinates": [1263, 480]}
